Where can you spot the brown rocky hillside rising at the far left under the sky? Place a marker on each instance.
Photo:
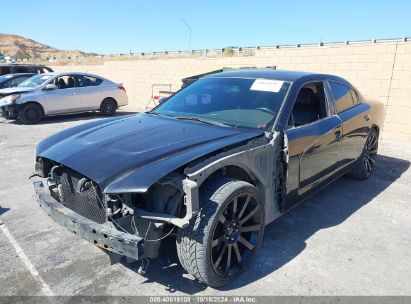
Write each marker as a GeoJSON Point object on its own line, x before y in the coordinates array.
{"type": "Point", "coordinates": [20, 47]}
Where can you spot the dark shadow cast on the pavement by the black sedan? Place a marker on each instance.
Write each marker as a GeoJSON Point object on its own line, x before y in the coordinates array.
{"type": "Point", "coordinates": [285, 238]}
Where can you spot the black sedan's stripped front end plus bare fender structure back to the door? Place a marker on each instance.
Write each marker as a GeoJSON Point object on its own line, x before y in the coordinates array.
{"type": "Point", "coordinates": [130, 223]}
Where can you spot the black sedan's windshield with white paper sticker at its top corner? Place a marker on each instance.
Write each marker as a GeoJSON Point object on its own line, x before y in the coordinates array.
{"type": "Point", "coordinates": [235, 102]}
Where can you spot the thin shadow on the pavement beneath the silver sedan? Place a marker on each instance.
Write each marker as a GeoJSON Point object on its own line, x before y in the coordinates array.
{"type": "Point", "coordinates": [74, 117]}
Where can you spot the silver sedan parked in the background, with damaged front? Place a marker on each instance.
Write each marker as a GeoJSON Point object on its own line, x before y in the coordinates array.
{"type": "Point", "coordinates": [60, 93]}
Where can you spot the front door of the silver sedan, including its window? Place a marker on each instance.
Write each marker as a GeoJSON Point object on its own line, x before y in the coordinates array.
{"type": "Point", "coordinates": [65, 98]}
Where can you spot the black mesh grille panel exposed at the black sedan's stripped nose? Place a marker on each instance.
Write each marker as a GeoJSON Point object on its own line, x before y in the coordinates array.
{"type": "Point", "coordinates": [88, 202]}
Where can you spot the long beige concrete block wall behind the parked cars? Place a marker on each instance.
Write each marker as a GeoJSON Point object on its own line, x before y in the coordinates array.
{"type": "Point", "coordinates": [381, 71]}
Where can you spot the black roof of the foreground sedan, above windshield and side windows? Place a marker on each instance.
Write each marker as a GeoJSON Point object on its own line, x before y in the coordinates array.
{"type": "Point", "coordinates": [274, 74]}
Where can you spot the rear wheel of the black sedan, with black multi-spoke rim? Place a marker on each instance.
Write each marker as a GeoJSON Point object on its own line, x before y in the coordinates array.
{"type": "Point", "coordinates": [365, 165]}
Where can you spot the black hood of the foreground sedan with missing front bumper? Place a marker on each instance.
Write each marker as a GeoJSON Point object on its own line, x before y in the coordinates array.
{"type": "Point", "coordinates": [130, 153]}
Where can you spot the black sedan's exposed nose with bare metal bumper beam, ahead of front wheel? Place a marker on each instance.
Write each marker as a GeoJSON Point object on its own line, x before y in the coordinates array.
{"type": "Point", "coordinates": [130, 224]}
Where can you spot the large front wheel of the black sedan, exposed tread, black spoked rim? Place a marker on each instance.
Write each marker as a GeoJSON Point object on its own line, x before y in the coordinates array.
{"type": "Point", "coordinates": [220, 230]}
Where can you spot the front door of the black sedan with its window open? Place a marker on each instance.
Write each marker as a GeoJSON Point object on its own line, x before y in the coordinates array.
{"type": "Point", "coordinates": [314, 142]}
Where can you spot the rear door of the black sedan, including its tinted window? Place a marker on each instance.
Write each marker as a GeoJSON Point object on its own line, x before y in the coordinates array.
{"type": "Point", "coordinates": [354, 116]}
